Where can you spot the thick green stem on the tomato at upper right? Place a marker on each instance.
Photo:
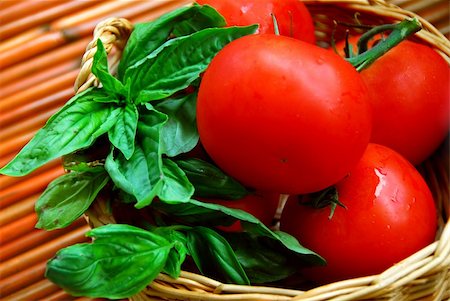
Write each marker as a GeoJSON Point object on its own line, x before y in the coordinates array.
{"type": "Point", "coordinates": [399, 32]}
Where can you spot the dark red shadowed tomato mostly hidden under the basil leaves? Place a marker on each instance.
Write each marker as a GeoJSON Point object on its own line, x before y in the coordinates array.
{"type": "Point", "coordinates": [263, 206]}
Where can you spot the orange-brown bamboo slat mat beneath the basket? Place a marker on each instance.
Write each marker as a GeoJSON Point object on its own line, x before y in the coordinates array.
{"type": "Point", "coordinates": [41, 44]}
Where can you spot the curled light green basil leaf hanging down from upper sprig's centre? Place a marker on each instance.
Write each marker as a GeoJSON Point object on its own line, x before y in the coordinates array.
{"type": "Point", "coordinates": [140, 175]}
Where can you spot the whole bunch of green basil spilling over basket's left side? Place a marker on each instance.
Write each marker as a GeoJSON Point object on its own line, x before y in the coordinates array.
{"type": "Point", "coordinates": [143, 119]}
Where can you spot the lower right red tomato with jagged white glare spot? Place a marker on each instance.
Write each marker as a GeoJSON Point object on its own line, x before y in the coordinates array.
{"type": "Point", "coordinates": [389, 215]}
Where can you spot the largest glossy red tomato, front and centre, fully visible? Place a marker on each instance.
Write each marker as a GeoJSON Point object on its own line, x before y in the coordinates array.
{"type": "Point", "coordinates": [279, 114]}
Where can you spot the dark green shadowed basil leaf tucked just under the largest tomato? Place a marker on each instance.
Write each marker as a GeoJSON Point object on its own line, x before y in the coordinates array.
{"type": "Point", "coordinates": [211, 182]}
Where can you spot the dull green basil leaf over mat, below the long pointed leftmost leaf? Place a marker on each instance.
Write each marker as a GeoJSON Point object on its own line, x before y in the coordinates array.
{"type": "Point", "coordinates": [68, 197]}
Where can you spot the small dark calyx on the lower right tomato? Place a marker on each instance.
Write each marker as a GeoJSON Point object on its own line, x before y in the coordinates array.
{"type": "Point", "coordinates": [323, 198]}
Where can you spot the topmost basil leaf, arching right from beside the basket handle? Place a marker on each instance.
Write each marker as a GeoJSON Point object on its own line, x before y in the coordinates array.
{"type": "Point", "coordinates": [146, 37]}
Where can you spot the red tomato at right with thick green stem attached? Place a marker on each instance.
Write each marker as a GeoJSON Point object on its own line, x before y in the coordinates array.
{"type": "Point", "coordinates": [409, 88]}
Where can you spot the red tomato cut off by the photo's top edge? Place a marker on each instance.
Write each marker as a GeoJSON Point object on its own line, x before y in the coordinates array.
{"type": "Point", "coordinates": [293, 18]}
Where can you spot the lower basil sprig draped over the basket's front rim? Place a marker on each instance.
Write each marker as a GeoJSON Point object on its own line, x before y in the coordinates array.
{"type": "Point", "coordinates": [123, 259]}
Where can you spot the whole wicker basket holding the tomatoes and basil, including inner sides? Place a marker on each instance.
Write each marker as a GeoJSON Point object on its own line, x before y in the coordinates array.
{"type": "Point", "coordinates": [423, 276]}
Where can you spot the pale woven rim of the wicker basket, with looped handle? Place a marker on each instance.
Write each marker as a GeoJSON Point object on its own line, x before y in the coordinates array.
{"type": "Point", "coordinates": [432, 261]}
